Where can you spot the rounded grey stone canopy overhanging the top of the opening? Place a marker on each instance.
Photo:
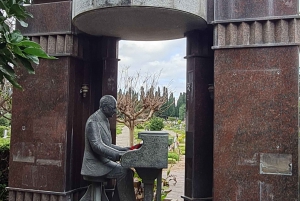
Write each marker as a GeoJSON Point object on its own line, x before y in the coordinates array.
{"type": "Point", "coordinates": [143, 20]}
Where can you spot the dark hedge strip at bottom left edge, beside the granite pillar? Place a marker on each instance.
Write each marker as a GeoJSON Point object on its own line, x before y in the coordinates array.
{"type": "Point", "coordinates": [4, 159]}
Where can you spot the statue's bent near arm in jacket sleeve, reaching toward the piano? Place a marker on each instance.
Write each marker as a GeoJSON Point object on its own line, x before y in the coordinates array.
{"type": "Point", "coordinates": [95, 134]}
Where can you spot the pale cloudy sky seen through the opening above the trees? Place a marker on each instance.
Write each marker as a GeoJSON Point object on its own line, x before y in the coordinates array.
{"type": "Point", "coordinates": [151, 57]}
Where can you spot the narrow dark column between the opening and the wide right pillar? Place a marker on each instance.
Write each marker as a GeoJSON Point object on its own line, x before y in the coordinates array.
{"type": "Point", "coordinates": [199, 117]}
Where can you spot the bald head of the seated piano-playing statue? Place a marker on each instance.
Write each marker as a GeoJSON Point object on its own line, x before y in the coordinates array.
{"type": "Point", "coordinates": [108, 105]}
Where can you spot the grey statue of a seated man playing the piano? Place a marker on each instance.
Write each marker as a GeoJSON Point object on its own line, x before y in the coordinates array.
{"type": "Point", "coordinates": [101, 156]}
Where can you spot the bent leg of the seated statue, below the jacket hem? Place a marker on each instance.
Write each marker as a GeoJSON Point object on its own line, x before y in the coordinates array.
{"type": "Point", "coordinates": [124, 178]}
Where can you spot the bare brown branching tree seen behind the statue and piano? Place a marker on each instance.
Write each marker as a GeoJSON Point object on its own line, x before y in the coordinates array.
{"type": "Point", "coordinates": [138, 99]}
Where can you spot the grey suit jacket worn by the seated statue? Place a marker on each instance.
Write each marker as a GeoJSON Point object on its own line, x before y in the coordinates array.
{"type": "Point", "coordinates": [100, 155]}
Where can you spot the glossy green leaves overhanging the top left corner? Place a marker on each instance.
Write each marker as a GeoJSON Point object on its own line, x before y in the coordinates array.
{"type": "Point", "coordinates": [15, 49]}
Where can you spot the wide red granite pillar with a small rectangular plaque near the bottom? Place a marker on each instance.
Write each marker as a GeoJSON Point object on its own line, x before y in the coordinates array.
{"type": "Point", "coordinates": [256, 100]}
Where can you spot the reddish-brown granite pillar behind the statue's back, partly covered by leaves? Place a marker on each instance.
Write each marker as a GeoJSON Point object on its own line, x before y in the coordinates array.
{"type": "Point", "coordinates": [49, 115]}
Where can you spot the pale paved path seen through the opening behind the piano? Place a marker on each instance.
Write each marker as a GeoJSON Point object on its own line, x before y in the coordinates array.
{"type": "Point", "coordinates": [177, 169]}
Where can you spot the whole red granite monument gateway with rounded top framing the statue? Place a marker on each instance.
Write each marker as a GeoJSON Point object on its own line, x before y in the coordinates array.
{"type": "Point", "coordinates": [242, 145]}
